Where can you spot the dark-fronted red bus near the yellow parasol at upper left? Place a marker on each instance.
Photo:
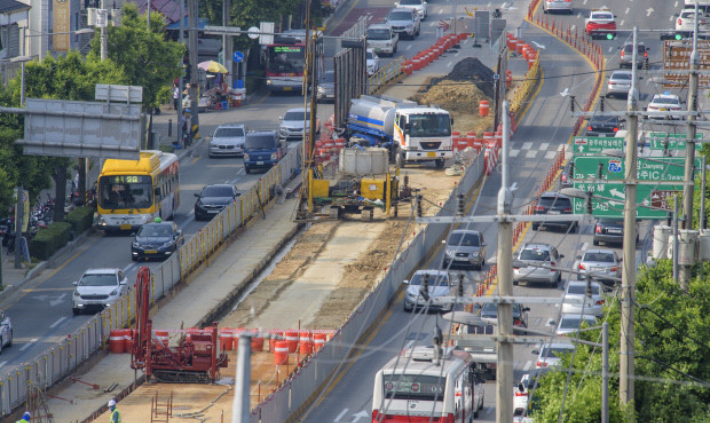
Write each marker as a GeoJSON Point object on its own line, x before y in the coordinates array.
{"type": "Point", "coordinates": [285, 63]}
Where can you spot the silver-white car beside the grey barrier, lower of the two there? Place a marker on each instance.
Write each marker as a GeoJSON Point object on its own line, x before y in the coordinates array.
{"type": "Point", "coordinates": [433, 284]}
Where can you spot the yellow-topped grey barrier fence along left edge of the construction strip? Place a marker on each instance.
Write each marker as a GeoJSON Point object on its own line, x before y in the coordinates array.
{"type": "Point", "coordinates": [58, 362]}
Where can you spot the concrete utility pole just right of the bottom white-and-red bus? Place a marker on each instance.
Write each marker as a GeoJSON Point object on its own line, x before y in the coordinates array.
{"type": "Point", "coordinates": [504, 370]}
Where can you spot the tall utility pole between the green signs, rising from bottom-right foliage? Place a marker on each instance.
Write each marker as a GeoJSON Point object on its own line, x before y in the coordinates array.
{"type": "Point", "coordinates": [628, 276]}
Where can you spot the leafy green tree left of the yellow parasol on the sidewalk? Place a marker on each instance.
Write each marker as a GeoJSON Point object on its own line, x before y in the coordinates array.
{"type": "Point", "coordinates": [147, 58]}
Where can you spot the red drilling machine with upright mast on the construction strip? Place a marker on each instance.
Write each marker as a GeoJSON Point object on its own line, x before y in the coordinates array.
{"type": "Point", "coordinates": [194, 361]}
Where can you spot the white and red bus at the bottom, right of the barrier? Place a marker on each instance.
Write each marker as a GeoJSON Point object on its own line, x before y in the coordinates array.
{"type": "Point", "coordinates": [414, 387]}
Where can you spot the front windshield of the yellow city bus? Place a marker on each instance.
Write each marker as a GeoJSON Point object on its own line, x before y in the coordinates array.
{"type": "Point", "coordinates": [125, 192]}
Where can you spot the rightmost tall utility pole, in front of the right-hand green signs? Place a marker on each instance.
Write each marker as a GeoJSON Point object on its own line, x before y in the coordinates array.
{"type": "Point", "coordinates": [688, 192]}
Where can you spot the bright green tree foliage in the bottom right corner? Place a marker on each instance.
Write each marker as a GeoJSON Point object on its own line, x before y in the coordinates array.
{"type": "Point", "coordinates": [672, 349]}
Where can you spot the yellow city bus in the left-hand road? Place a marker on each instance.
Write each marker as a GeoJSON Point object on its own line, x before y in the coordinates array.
{"type": "Point", "coordinates": [134, 192]}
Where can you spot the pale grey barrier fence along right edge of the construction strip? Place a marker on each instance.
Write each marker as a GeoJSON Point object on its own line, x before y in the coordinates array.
{"type": "Point", "coordinates": [294, 392]}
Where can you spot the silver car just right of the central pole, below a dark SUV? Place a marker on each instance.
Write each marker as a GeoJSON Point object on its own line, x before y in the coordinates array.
{"type": "Point", "coordinates": [526, 265]}
